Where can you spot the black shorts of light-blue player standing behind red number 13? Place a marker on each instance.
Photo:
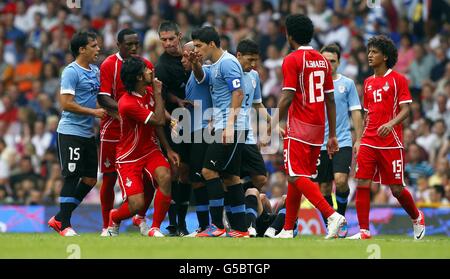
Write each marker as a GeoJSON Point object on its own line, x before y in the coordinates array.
{"type": "Point", "coordinates": [341, 163]}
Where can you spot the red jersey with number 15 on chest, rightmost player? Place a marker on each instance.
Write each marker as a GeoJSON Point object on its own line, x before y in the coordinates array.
{"type": "Point", "coordinates": [382, 99]}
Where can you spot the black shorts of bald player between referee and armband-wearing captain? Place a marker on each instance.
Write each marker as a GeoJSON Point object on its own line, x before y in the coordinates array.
{"type": "Point", "coordinates": [197, 157]}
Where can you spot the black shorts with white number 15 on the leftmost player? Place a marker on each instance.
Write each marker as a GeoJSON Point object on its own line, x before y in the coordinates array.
{"type": "Point", "coordinates": [77, 156]}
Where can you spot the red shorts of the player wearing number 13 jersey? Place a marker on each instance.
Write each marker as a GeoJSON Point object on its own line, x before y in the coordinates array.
{"type": "Point", "coordinates": [300, 159]}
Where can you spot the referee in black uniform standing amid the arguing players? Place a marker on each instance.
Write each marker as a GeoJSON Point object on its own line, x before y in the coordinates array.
{"type": "Point", "coordinates": [174, 77]}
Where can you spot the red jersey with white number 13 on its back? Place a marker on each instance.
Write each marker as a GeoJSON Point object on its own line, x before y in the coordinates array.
{"type": "Point", "coordinates": [309, 75]}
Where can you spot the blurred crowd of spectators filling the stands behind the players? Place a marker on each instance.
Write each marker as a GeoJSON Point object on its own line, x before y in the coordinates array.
{"type": "Point", "coordinates": [34, 48]}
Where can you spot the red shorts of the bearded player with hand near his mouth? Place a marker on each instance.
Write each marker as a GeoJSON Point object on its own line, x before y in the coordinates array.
{"type": "Point", "coordinates": [131, 174]}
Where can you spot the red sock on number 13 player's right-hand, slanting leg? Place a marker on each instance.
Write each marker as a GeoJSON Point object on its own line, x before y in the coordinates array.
{"type": "Point", "coordinates": [313, 194]}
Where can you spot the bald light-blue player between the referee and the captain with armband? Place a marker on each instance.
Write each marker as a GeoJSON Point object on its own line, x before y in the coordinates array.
{"type": "Point", "coordinates": [200, 96]}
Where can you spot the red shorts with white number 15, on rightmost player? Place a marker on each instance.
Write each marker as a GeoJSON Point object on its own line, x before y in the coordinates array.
{"type": "Point", "coordinates": [380, 165]}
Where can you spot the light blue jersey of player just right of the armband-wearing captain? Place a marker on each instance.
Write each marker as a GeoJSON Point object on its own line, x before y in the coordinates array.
{"type": "Point", "coordinates": [252, 95]}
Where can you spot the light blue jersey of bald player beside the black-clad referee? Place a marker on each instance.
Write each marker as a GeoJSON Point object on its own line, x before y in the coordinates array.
{"type": "Point", "coordinates": [198, 92]}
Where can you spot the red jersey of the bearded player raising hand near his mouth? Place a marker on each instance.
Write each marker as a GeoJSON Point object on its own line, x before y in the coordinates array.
{"type": "Point", "coordinates": [138, 138]}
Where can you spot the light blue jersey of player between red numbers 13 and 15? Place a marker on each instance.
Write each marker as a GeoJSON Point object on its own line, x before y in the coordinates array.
{"type": "Point", "coordinates": [346, 99]}
